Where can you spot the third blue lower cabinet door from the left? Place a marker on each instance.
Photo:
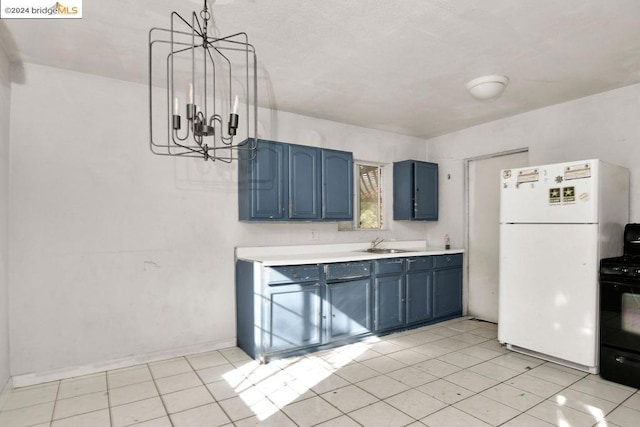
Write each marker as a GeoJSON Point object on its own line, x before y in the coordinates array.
{"type": "Point", "coordinates": [388, 302]}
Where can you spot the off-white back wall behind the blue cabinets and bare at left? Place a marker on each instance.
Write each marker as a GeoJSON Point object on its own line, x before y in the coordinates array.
{"type": "Point", "coordinates": [118, 252]}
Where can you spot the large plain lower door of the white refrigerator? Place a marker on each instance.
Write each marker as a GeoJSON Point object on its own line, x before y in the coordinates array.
{"type": "Point", "coordinates": [549, 290]}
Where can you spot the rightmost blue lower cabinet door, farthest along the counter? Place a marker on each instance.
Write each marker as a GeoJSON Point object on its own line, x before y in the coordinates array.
{"type": "Point", "coordinates": [447, 292]}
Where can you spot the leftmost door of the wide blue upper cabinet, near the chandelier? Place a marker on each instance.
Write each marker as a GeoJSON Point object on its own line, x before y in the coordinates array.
{"type": "Point", "coordinates": [261, 183]}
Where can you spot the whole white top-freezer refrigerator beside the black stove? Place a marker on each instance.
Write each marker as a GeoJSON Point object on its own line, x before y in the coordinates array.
{"type": "Point", "coordinates": [556, 223]}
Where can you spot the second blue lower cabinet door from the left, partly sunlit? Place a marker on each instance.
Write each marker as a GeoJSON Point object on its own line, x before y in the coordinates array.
{"type": "Point", "coordinates": [348, 309]}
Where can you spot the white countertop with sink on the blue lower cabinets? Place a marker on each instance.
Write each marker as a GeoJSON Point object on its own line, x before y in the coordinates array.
{"type": "Point", "coordinates": [339, 252]}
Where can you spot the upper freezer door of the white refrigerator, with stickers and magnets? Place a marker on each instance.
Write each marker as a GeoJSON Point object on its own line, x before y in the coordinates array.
{"type": "Point", "coordinates": [558, 193]}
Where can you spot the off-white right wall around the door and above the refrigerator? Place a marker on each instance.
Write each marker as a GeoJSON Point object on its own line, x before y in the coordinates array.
{"type": "Point", "coordinates": [605, 126]}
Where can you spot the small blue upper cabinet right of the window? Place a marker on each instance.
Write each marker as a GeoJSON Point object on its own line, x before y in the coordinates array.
{"type": "Point", "coordinates": [415, 191]}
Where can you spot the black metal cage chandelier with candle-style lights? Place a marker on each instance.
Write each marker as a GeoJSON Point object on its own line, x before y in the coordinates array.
{"type": "Point", "coordinates": [208, 75]}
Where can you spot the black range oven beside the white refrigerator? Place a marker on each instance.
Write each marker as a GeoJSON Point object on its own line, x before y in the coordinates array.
{"type": "Point", "coordinates": [620, 312]}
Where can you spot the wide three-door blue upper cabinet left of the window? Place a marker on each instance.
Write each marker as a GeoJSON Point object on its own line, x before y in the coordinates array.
{"type": "Point", "coordinates": [288, 182]}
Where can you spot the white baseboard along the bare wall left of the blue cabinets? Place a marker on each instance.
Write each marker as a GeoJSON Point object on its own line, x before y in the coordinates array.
{"type": "Point", "coordinates": [24, 380]}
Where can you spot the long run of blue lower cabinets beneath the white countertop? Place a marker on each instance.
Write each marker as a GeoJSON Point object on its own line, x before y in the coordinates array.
{"type": "Point", "coordinates": [295, 309]}
